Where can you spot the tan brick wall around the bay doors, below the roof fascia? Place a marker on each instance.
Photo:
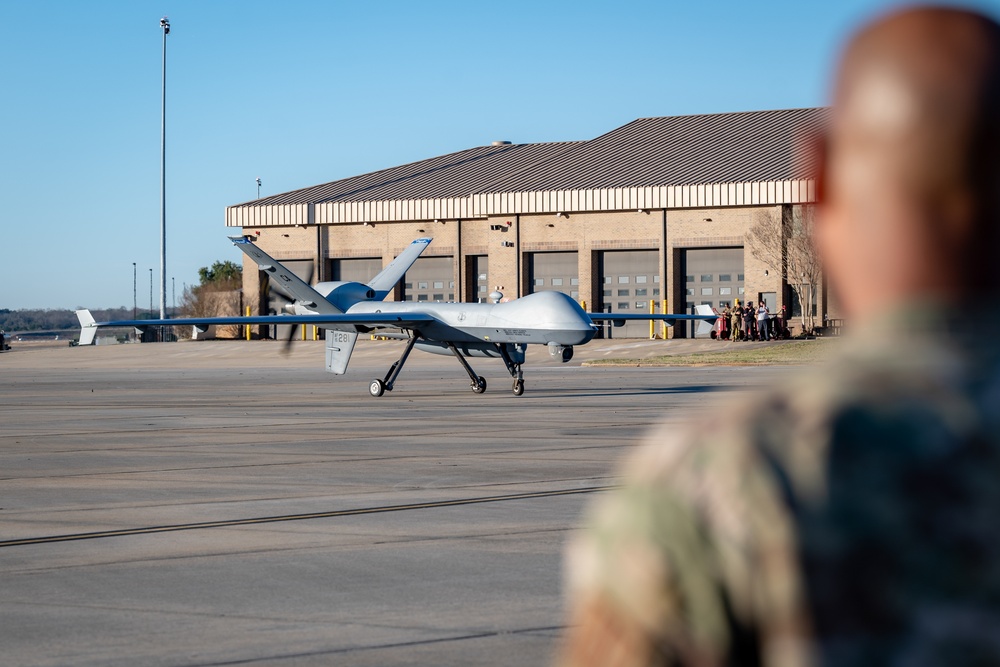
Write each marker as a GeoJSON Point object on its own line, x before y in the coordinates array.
{"type": "Point", "coordinates": [585, 233]}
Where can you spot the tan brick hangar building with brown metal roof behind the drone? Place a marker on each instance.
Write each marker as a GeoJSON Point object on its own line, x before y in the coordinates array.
{"type": "Point", "coordinates": [655, 210]}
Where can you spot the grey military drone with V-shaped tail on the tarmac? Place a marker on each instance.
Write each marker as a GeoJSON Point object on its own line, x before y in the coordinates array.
{"type": "Point", "coordinates": [346, 309]}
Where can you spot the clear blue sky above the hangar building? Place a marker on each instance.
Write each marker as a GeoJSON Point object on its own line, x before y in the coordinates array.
{"type": "Point", "coordinates": [300, 93]}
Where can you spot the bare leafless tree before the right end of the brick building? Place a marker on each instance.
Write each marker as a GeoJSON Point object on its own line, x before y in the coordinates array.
{"type": "Point", "coordinates": [785, 244]}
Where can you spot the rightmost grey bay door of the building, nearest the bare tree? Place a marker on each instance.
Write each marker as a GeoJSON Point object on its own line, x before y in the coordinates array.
{"type": "Point", "coordinates": [712, 276]}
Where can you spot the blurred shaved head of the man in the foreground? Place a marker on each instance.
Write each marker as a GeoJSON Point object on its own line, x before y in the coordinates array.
{"type": "Point", "coordinates": [911, 163]}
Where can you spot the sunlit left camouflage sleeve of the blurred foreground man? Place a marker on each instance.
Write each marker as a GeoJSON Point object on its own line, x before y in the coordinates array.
{"type": "Point", "coordinates": [691, 562]}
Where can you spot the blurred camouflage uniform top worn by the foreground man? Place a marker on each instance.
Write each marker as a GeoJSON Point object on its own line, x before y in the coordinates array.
{"type": "Point", "coordinates": [851, 517]}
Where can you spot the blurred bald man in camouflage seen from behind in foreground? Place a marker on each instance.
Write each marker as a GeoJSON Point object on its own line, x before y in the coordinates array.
{"type": "Point", "coordinates": [851, 517]}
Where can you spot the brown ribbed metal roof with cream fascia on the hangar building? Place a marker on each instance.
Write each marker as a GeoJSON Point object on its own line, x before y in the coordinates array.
{"type": "Point", "coordinates": [727, 159]}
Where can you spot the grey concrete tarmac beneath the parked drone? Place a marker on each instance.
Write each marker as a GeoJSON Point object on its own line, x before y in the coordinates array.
{"type": "Point", "coordinates": [219, 503]}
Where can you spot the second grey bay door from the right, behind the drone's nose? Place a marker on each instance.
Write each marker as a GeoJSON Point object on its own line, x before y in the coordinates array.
{"type": "Point", "coordinates": [630, 279]}
